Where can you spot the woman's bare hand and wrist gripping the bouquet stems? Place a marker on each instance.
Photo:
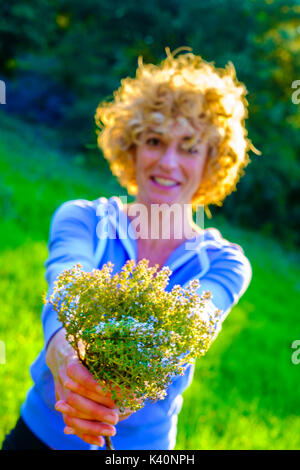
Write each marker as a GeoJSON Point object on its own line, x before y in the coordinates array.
{"type": "Point", "coordinates": [87, 411]}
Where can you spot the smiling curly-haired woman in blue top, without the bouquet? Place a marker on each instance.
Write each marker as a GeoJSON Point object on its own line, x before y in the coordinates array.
{"type": "Point", "coordinates": [174, 136]}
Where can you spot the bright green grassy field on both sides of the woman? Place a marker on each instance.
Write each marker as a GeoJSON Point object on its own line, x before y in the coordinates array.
{"type": "Point", "coordinates": [245, 393]}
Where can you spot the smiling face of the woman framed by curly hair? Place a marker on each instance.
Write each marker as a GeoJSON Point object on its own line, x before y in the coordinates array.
{"type": "Point", "coordinates": [169, 167]}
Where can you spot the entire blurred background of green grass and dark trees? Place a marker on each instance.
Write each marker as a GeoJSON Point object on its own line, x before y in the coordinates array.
{"type": "Point", "coordinates": [58, 60]}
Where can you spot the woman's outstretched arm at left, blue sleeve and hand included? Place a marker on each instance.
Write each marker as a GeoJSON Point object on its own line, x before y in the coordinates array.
{"type": "Point", "coordinates": [87, 411]}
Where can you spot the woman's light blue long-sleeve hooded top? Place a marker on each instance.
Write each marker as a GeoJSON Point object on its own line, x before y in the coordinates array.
{"type": "Point", "coordinates": [93, 233]}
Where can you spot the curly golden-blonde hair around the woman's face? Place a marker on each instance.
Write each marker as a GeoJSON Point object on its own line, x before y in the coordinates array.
{"type": "Point", "coordinates": [209, 101]}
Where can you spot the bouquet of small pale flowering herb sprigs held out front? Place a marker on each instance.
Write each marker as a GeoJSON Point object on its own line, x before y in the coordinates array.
{"type": "Point", "coordinates": [132, 334]}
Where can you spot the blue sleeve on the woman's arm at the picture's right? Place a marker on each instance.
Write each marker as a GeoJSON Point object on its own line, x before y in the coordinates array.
{"type": "Point", "coordinates": [227, 278]}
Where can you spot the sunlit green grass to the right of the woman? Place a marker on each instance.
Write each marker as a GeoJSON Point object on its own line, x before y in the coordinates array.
{"type": "Point", "coordinates": [246, 390]}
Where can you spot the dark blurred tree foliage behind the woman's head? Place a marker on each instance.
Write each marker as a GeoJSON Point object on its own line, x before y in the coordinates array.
{"type": "Point", "coordinates": [88, 47]}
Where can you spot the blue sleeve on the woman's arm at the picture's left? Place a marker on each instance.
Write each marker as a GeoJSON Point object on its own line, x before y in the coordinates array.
{"type": "Point", "coordinates": [71, 241]}
